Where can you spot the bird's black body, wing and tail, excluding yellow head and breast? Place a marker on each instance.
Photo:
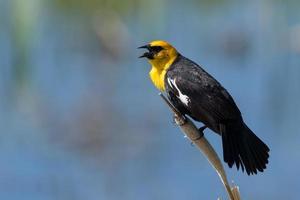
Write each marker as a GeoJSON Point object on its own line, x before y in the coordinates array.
{"type": "Point", "coordinates": [211, 104]}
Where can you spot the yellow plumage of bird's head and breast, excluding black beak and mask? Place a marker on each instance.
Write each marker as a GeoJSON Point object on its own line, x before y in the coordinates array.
{"type": "Point", "coordinates": [161, 63]}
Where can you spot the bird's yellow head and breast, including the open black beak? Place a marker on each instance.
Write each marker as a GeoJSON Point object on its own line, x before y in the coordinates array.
{"type": "Point", "coordinates": [161, 55]}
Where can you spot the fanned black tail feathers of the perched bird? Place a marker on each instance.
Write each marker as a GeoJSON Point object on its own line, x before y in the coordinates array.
{"type": "Point", "coordinates": [242, 147]}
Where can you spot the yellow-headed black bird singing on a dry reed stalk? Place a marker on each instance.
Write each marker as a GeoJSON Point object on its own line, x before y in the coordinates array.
{"type": "Point", "coordinates": [197, 94]}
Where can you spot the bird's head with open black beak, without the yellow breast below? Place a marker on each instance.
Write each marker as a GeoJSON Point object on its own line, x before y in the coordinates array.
{"type": "Point", "coordinates": [160, 54]}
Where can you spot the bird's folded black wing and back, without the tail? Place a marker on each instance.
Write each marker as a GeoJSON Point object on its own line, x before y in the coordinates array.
{"type": "Point", "coordinates": [208, 101]}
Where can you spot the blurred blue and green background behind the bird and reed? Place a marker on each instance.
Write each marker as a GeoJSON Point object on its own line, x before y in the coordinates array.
{"type": "Point", "coordinates": [80, 119]}
